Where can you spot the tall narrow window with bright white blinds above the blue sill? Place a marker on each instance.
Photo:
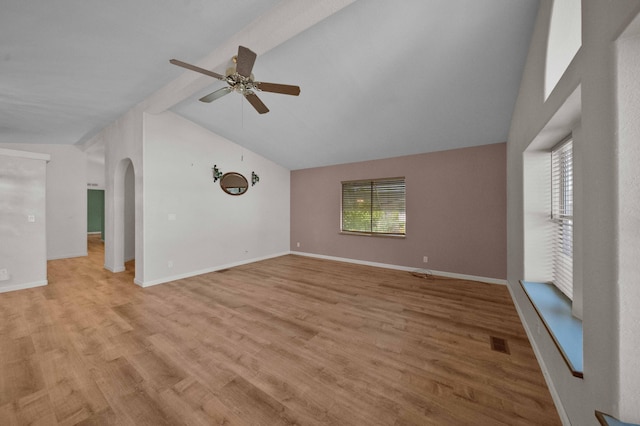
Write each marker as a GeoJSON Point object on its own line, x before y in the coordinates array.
{"type": "Point", "coordinates": [562, 215]}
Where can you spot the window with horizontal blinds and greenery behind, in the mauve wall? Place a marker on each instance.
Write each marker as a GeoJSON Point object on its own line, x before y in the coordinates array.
{"type": "Point", "coordinates": [374, 207]}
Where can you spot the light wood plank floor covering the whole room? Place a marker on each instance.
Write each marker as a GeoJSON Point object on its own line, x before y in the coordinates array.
{"type": "Point", "coordinates": [291, 340]}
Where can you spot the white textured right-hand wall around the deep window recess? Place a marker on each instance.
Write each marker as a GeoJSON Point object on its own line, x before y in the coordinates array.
{"type": "Point", "coordinates": [606, 235]}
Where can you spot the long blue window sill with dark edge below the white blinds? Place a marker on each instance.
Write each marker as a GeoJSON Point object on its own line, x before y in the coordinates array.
{"type": "Point", "coordinates": [554, 309]}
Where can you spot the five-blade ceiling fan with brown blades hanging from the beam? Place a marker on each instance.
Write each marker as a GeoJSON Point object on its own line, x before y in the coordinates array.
{"type": "Point", "coordinates": [240, 79]}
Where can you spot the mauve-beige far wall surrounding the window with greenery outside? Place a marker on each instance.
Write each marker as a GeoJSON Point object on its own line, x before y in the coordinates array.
{"type": "Point", "coordinates": [456, 211]}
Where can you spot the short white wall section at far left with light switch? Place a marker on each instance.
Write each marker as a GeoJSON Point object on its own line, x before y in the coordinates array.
{"type": "Point", "coordinates": [23, 250]}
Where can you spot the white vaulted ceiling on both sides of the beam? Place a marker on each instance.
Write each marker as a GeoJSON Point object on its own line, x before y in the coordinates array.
{"type": "Point", "coordinates": [379, 78]}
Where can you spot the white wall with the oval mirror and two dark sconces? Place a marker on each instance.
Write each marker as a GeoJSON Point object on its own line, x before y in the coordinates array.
{"type": "Point", "coordinates": [212, 230]}
